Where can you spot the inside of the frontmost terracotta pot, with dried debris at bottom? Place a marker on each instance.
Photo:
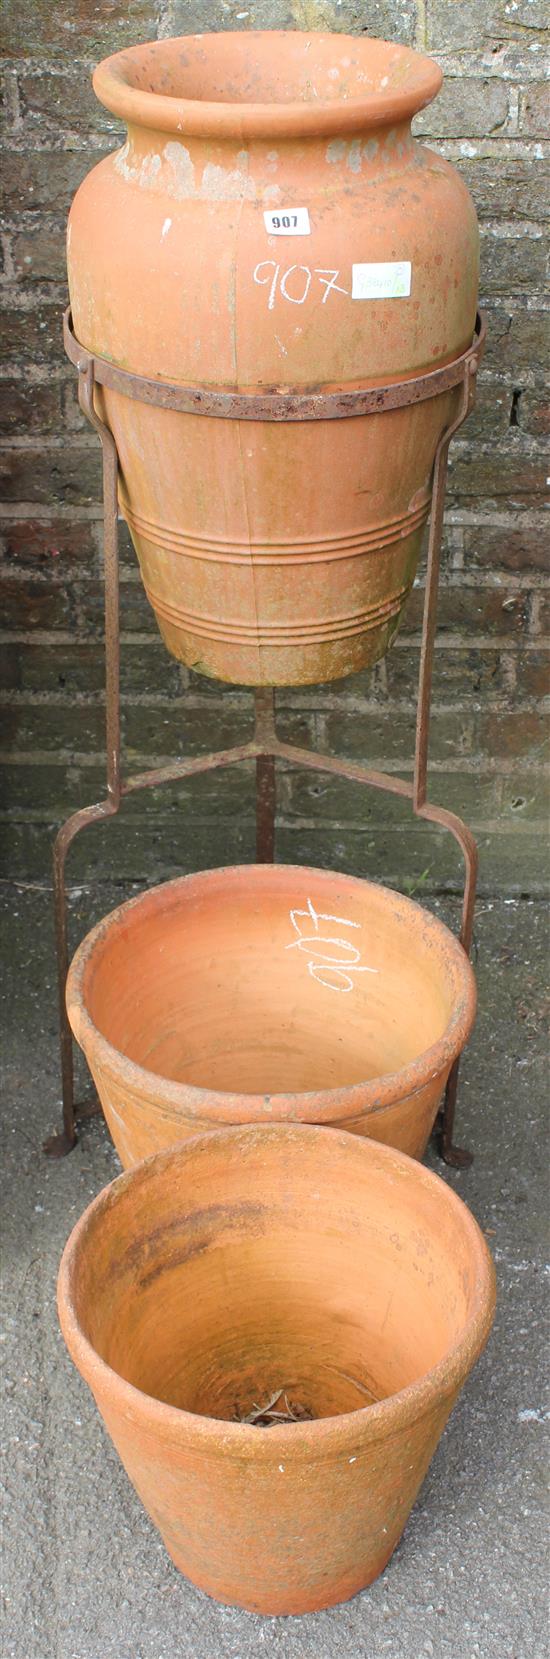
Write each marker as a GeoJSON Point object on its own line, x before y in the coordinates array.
{"type": "Point", "coordinates": [296, 1260]}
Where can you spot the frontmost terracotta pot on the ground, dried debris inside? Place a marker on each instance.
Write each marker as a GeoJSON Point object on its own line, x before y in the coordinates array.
{"type": "Point", "coordinates": [289, 1265]}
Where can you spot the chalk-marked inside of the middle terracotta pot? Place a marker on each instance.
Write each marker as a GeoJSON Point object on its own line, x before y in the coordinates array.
{"type": "Point", "coordinates": [269, 980]}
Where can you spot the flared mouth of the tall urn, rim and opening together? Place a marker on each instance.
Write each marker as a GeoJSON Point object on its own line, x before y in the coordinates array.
{"type": "Point", "coordinates": [266, 84]}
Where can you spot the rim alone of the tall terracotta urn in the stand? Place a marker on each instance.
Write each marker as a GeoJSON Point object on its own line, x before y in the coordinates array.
{"type": "Point", "coordinates": [241, 120]}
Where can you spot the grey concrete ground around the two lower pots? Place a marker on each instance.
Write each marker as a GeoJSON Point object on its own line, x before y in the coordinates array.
{"type": "Point", "coordinates": [85, 1572]}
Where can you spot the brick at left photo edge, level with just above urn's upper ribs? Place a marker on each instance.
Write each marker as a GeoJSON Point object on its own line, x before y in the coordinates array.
{"type": "Point", "coordinates": [42, 475]}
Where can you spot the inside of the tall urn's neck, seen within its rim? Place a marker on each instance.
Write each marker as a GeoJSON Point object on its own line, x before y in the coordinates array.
{"type": "Point", "coordinates": [274, 69]}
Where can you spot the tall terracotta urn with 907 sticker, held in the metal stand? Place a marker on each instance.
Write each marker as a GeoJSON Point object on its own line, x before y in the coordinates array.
{"type": "Point", "coordinates": [271, 225]}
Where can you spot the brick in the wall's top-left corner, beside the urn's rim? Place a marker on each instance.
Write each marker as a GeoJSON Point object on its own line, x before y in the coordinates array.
{"type": "Point", "coordinates": [41, 29]}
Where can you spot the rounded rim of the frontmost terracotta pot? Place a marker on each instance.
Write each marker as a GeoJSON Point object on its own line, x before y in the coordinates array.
{"type": "Point", "coordinates": [349, 1431]}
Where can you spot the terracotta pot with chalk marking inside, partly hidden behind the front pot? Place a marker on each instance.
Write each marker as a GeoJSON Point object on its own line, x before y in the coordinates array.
{"type": "Point", "coordinates": [268, 993]}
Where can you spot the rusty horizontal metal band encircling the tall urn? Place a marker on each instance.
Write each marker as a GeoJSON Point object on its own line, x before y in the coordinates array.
{"type": "Point", "coordinates": [276, 406]}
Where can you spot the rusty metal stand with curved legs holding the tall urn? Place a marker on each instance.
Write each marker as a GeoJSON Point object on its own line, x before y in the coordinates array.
{"type": "Point", "coordinates": [266, 746]}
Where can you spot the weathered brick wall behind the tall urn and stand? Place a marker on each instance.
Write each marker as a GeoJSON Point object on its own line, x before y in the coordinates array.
{"type": "Point", "coordinates": [488, 724]}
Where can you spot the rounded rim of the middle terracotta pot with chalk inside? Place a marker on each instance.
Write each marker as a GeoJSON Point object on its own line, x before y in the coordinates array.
{"type": "Point", "coordinates": [321, 1106]}
